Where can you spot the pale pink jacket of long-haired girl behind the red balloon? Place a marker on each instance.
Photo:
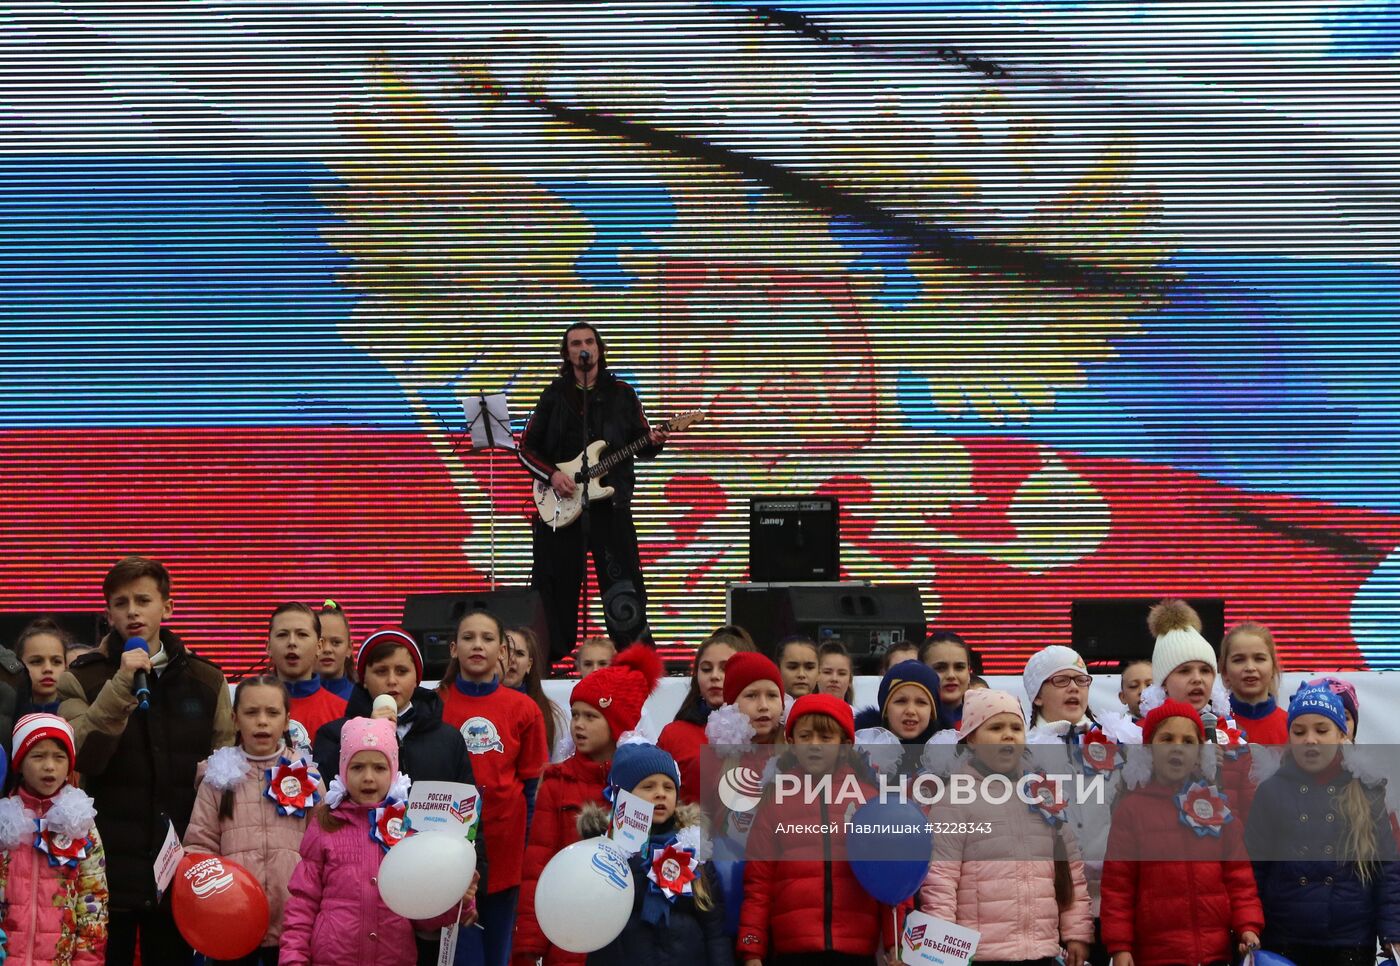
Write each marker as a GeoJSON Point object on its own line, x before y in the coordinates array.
{"type": "Point", "coordinates": [258, 838]}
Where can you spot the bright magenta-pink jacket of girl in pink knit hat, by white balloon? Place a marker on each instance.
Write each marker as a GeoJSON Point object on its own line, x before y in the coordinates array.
{"type": "Point", "coordinates": [335, 916]}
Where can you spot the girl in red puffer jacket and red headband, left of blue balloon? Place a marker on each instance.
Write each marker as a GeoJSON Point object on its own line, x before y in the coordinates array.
{"type": "Point", "coordinates": [801, 901]}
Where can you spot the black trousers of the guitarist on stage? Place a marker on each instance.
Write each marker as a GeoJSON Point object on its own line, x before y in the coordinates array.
{"type": "Point", "coordinates": [558, 575]}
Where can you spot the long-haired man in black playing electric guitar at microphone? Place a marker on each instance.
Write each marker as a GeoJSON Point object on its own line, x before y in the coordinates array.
{"type": "Point", "coordinates": [555, 435]}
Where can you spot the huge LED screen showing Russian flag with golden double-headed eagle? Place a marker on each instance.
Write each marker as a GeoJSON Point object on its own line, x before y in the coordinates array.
{"type": "Point", "coordinates": [1060, 299]}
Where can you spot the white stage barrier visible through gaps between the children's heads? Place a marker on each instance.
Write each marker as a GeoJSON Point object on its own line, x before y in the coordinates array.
{"type": "Point", "coordinates": [1378, 694]}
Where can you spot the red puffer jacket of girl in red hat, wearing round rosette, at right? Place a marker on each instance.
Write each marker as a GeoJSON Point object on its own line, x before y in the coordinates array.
{"type": "Point", "coordinates": [1191, 909]}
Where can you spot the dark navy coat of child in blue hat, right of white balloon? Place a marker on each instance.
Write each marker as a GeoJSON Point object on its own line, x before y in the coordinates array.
{"type": "Point", "coordinates": [691, 939]}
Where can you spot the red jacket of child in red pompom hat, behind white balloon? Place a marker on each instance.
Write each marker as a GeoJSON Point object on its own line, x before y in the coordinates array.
{"type": "Point", "coordinates": [563, 792]}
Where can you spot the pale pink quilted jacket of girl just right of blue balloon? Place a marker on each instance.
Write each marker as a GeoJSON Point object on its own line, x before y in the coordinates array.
{"type": "Point", "coordinates": [997, 876]}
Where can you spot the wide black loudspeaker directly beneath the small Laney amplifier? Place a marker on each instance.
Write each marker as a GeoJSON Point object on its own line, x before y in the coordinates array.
{"type": "Point", "coordinates": [869, 621]}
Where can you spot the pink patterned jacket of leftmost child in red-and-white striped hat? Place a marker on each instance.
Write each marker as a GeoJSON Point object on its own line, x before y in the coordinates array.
{"type": "Point", "coordinates": [54, 915]}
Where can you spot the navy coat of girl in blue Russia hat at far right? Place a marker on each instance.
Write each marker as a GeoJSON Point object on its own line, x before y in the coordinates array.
{"type": "Point", "coordinates": [1294, 834]}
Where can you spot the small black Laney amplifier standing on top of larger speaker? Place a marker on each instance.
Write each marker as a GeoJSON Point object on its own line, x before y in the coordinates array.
{"type": "Point", "coordinates": [794, 540]}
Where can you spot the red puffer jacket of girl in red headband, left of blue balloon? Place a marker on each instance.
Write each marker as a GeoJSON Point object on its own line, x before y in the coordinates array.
{"type": "Point", "coordinates": [800, 895]}
